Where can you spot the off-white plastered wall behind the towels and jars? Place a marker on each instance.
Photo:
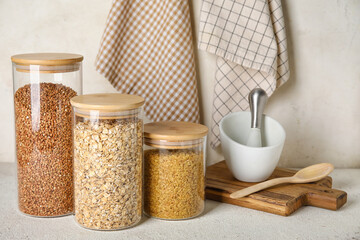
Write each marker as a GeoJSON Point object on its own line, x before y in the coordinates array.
{"type": "Point", "coordinates": [318, 107]}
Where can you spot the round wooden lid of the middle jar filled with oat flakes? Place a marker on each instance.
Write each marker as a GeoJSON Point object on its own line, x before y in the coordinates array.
{"type": "Point", "coordinates": [107, 102]}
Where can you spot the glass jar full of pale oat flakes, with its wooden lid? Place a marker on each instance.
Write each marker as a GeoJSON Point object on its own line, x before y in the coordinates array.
{"type": "Point", "coordinates": [108, 160]}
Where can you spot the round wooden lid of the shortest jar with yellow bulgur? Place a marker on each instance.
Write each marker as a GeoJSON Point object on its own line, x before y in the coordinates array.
{"type": "Point", "coordinates": [174, 131]}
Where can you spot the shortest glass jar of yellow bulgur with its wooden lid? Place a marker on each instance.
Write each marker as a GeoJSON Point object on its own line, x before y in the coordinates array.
{"type": "Point", "coordinates": [174, 169]}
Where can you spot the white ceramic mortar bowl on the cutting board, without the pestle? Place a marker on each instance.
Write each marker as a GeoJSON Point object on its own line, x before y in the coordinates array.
{"type": "Point", "coordinates": [251, 164]}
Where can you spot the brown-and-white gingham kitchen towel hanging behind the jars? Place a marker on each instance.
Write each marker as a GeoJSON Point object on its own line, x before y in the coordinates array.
{"type": "Point", "coordinates": [147, 50]}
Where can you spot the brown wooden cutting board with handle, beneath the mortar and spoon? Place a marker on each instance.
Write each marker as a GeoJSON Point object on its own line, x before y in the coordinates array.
{"type": "Point", "coordinates": [282, 200]}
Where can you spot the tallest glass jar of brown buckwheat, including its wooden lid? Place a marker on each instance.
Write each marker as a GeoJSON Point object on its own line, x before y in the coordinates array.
{"type": "Point", "coordinates": [44, 83]}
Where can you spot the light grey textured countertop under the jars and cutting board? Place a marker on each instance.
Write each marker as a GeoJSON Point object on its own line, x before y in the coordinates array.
{"type": "Point", "coordinates": [219, 221]}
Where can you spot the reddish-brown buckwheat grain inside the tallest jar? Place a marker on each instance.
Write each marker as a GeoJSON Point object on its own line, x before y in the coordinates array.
{"type": "Point", "coordinates": [44, 149]}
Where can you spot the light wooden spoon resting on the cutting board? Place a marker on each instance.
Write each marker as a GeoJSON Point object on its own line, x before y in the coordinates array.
{"type": "Point", "coordinates": [309, 174]}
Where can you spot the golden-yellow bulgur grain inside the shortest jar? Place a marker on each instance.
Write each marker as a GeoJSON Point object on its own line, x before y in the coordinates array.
{"type": "Point", "coordinates": [174, 183]}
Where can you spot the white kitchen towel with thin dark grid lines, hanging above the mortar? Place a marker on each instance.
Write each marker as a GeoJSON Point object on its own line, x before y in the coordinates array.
{"type": "Point", "coordinates": [248, 36]}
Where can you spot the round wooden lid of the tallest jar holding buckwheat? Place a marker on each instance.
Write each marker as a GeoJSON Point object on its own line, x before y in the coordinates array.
{"type": "Point", "coordinates": [49, 59]}
